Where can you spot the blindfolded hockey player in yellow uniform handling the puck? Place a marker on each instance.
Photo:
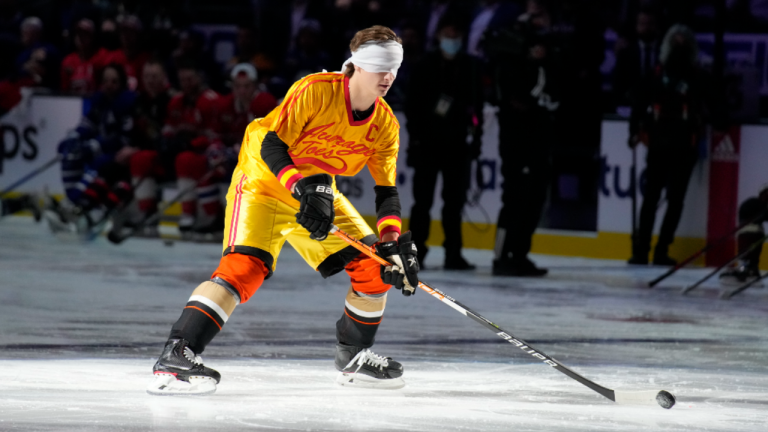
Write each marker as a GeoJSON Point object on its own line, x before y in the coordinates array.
{"type": "Point", "coordinates": [283, 189]}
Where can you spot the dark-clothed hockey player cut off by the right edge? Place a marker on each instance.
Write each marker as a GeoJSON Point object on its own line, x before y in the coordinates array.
{"type": "Point", "coordinates": [755, 211]}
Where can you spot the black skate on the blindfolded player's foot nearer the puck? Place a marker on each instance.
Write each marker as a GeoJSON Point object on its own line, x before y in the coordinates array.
{"type": "Point", "coordinates": [360, 367]}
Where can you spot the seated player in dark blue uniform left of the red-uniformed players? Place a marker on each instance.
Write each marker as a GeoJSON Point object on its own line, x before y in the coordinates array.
{"type": "Point", "coordinates": [94, 157]}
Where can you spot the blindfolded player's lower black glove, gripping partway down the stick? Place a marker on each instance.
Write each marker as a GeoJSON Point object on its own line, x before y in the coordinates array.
{"type": "Point", "coordinates": [403, 274]}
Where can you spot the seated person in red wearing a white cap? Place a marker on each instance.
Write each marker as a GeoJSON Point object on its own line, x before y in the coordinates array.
{"type": "Point", "coordinates": [249, 100]}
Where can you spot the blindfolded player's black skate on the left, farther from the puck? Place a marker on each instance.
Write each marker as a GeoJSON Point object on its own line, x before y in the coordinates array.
{"type": "Point", "coordinates": [179, 371]}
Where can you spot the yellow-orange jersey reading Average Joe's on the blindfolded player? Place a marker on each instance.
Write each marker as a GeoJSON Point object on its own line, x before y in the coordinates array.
{"type": "Point", "coordinates": [315, 120]}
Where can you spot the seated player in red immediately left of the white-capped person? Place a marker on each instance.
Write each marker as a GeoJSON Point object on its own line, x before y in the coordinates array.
{"type": "Point", "coordinates": [190, 129]}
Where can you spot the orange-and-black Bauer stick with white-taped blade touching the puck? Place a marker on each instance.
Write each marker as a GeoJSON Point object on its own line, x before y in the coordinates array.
{"type": "Point", "coordinates": [664, 398]}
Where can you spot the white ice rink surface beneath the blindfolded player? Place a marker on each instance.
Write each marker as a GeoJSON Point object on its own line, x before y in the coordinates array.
{"type": "Point", "coordinates": [81, 326]}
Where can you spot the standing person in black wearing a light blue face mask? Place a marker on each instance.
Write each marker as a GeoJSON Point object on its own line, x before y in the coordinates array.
{"type": "Point", "coordinates": [443, 108]}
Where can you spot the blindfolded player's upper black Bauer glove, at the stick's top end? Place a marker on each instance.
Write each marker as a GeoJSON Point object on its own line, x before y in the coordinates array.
{"type": "Point", "coordinates": [316, 214]}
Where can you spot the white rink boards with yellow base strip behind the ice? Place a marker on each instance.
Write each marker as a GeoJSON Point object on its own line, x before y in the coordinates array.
{"type": "Point", "coordinates": [728, 171]}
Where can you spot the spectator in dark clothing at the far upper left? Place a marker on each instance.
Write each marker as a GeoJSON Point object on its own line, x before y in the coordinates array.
{"type": "Point", "coordinates": [39, 61]}
